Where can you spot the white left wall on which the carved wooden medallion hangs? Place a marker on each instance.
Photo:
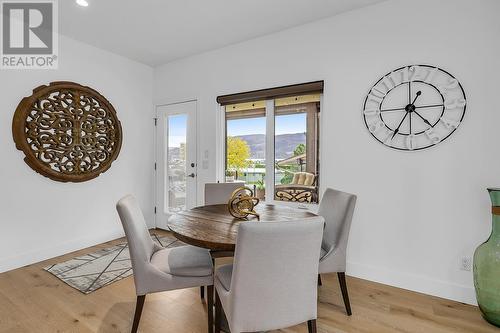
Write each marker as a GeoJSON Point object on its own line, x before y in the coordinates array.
{"type": "Point", "coordinates": [41, 218]}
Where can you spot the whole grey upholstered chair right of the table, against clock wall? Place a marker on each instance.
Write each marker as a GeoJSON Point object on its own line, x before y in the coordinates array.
{"type": "Point", "coordinates": [337, 208]}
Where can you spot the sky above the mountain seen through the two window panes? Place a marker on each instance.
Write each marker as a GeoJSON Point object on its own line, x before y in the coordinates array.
{"type": "Point", "coordinates": [293, 123]}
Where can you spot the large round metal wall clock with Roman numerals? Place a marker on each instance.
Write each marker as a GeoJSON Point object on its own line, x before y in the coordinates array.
{"type": "Point", "coordinates": [414, 107]}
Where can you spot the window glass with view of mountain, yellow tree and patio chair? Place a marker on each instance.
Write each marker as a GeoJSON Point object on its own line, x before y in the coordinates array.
{"type": "Point", "coordinates": [295, 147]}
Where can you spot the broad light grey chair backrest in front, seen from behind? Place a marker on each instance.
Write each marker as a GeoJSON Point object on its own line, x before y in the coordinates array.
{"type": "Point", "coordinates": [274, 281]}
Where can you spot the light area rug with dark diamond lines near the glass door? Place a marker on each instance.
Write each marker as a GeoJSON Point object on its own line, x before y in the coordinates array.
{"type": "Point", "coordinates": [95, 270]}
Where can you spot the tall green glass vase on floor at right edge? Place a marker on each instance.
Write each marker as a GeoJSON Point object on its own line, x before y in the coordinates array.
{"type": "Point", "coordinates": [487, 267]}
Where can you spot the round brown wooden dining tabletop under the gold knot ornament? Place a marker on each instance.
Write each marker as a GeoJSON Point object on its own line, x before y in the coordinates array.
{"type": "Point", "coordinates": [212, 227]}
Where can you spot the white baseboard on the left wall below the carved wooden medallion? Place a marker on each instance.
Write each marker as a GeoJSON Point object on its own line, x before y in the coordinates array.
{"type": "Point", "coordinates": [34, 256]}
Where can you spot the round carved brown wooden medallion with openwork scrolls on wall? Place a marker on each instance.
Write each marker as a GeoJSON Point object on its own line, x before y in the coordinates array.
{"type": "Point", "coordinates": [68, 132]}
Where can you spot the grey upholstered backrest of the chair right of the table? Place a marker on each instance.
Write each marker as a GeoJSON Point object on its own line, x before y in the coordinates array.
{"type": "Point", "coordinates": [337, 208]}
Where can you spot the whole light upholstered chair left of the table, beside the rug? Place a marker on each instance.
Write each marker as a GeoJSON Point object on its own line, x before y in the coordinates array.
{"type": "Point", "coordinates": [159, 269]}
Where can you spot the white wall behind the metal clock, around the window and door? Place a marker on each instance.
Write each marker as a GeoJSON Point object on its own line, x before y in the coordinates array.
{"type": "Point", "coordinates": [418, 213]}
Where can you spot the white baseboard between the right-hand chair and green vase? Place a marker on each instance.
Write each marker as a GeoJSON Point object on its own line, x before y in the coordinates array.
{"type": "Point", "coordinates": [421, 284]}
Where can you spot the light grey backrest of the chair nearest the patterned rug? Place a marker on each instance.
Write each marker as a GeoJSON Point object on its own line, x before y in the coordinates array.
{"type": "Point", "coordinates": [140, 244]}
